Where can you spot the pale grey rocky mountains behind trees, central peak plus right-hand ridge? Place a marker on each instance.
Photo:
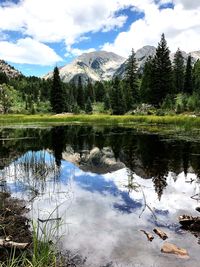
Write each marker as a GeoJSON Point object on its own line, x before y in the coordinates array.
{"type": "Point", "coordinates": [102, 65]}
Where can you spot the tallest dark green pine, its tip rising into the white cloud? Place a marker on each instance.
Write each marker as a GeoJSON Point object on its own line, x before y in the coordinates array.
{"type": "Point", "coordinates": [162, 80]}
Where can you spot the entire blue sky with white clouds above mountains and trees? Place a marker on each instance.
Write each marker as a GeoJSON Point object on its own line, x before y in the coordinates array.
{"type": "Point", "coordinates": [36, 35]}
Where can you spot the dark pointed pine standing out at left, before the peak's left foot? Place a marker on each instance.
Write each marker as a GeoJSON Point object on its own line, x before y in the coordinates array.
{"type": "Point", "coordinates": [57, 94]}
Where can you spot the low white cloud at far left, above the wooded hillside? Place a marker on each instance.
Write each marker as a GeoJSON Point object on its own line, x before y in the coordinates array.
{"type": "Point", "coordinates": [28, 51]}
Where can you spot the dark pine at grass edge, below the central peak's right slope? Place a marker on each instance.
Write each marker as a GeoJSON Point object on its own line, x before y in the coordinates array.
{"type": "Point", "coordinates": [117, 99]}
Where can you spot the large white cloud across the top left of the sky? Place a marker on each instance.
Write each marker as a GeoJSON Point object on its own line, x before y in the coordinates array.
{"type": "Point", "coordinates": [57, 20]}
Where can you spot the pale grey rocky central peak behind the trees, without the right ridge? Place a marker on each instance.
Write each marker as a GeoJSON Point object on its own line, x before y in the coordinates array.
{"type": "Point", "coordinates": [96, 66]}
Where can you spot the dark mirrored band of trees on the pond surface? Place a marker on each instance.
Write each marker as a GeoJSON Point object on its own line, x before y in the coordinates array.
{"type": "Point", "coordinates": [149, 156]}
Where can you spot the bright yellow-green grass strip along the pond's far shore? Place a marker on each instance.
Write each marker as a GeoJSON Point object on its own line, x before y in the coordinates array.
{"type": "Point", "coordinates": [184, 121]}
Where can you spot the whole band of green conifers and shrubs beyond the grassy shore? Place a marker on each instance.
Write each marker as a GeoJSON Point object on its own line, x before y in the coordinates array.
{"type": "Point", "coordinates": [164, 84]}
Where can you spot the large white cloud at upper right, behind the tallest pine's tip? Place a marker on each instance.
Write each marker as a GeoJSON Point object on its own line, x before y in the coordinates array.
{"type": "Point", "coordinates": [181, 26]}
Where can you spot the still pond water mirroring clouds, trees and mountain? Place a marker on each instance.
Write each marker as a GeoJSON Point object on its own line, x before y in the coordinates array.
{"type": "Point", "coordinates": [104, 185]}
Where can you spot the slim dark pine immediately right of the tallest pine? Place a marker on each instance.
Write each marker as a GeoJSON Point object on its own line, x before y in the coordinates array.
{"type": "Point", "coordinates": [178, 72]}
